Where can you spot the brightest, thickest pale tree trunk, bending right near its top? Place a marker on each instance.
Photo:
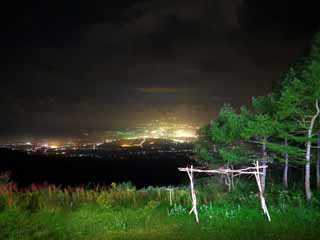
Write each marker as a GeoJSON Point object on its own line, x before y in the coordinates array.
{"type": "Point", "coordinates": [308, 154]}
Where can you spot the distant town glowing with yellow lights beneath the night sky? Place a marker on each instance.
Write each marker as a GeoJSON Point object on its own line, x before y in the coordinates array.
{"type": "Point", "coordinates": [154, 136]}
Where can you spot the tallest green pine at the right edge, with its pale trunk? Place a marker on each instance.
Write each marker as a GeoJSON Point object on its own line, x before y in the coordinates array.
{"type": "Point", "coordinates": [299, 101]}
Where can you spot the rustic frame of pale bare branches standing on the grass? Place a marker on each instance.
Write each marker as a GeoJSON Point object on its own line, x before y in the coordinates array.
{"type": "Point", "coordinates": [255, 170]}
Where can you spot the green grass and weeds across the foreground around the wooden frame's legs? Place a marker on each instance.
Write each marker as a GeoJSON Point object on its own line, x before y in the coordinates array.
{"type": "Point", "coordinates": [122, 212]}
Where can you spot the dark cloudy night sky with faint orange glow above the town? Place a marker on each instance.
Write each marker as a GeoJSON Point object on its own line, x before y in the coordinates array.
{"type": "Point", "coordinates": [74, 65]}
